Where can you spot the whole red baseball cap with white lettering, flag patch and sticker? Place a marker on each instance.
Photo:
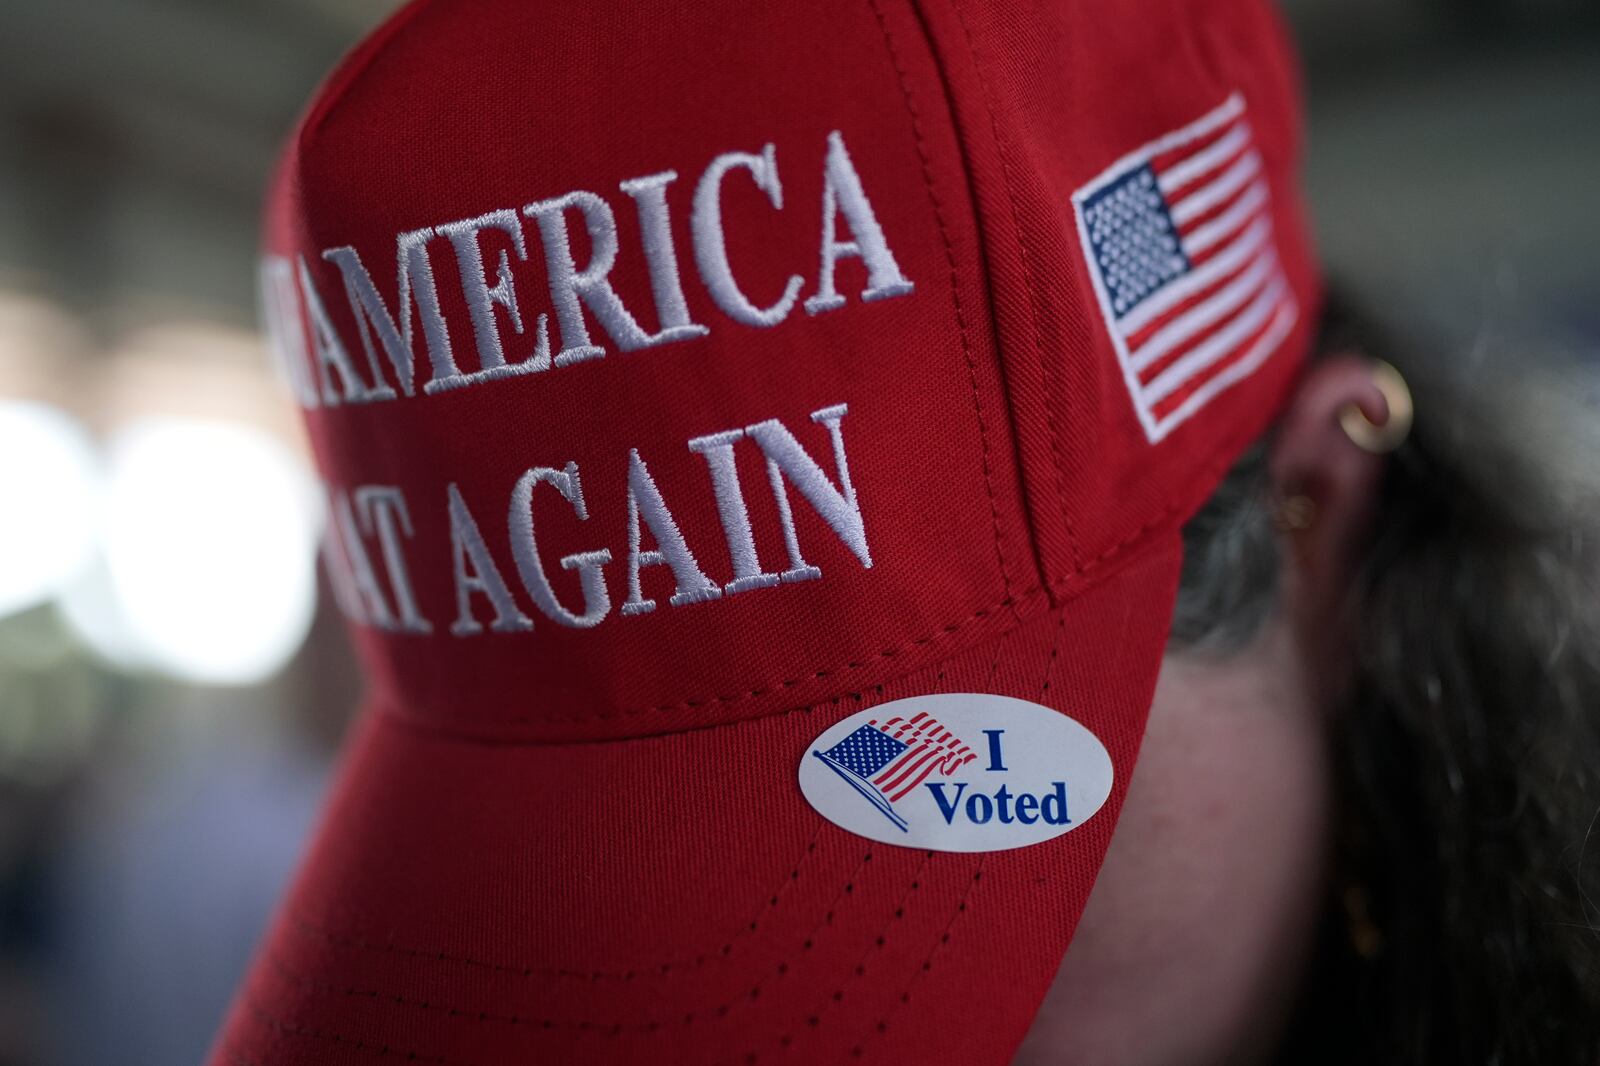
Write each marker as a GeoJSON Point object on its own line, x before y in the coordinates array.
{"type": "Point", "coordinates": [756, 443]}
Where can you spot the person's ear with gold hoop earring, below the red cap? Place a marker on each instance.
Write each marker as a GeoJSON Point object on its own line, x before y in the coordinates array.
{"type": "Point", "coordinates": [1326, 484]}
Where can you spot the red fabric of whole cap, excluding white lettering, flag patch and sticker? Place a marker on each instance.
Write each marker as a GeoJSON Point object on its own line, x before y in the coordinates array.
{"type": "Point", "coordinates": [588, 846]}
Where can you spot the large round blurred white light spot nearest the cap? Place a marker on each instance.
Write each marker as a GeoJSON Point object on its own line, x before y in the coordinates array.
{"type": "Point", "coordinates": [210, 537]}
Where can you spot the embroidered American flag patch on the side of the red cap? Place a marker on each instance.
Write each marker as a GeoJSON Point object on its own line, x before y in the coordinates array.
{"type": "Point", "coordinates": [1178, 238]}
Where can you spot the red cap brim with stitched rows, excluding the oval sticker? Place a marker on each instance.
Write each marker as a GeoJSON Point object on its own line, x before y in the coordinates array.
{"type": "Point", "coordinates": [676, 900]}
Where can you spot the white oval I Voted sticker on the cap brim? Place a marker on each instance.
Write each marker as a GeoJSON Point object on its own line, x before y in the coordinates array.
{"type": "Point", "coordinates": [958, 772]}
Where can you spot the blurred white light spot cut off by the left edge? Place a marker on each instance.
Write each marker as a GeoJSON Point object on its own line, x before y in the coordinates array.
{"type": "Point", "coordinates": [47, 503]}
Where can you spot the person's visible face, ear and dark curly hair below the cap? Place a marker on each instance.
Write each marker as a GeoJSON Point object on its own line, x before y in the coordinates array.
{"type": "Point", "coordinates": [1362, 822]}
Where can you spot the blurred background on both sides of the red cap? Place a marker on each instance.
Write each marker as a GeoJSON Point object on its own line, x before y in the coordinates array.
{"type": "Point", "coordinates": [172, 678]}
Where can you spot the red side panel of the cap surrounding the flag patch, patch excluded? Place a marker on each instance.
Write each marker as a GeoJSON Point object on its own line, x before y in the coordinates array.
{"type": "Point", "coordinates": [1047, 95]}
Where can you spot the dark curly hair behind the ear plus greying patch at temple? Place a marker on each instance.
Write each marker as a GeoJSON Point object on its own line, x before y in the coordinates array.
{"type": "Point", "coordinates": [1463, 920]}
